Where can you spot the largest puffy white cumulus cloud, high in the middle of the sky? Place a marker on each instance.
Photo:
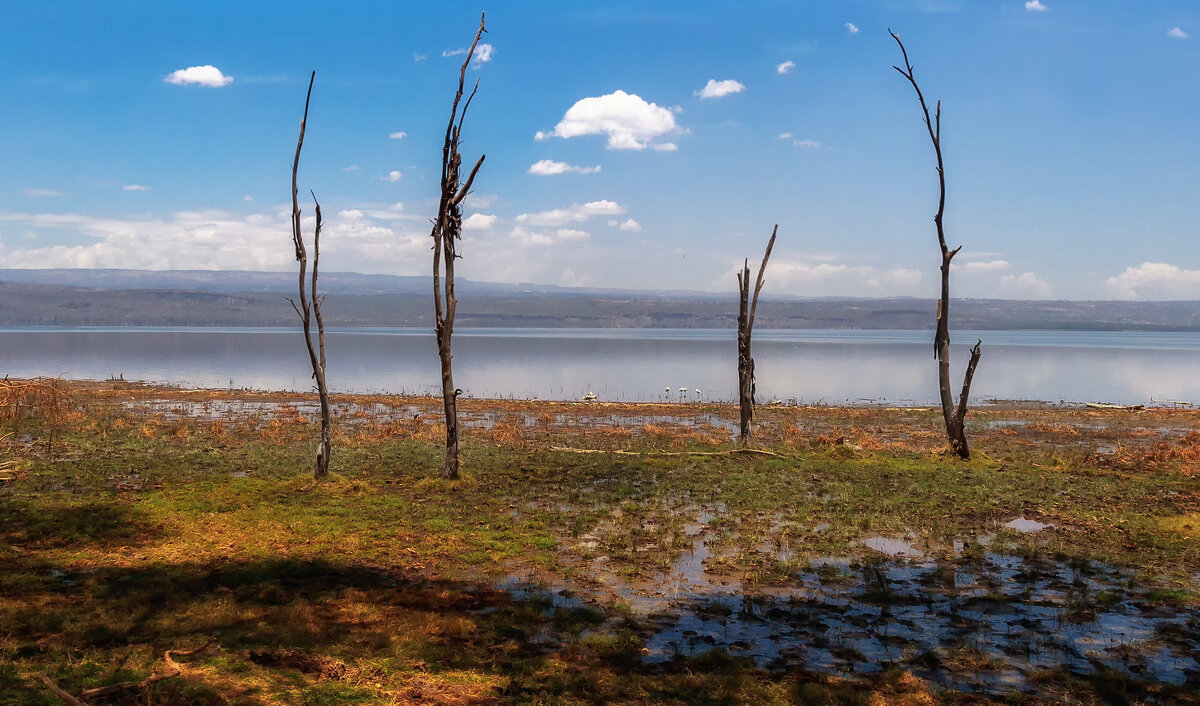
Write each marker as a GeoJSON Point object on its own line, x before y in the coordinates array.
{"type": "Point", "coordinates": [629, 122]}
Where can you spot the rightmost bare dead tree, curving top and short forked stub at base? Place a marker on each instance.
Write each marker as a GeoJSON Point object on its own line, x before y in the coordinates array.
{"type": "Point", "coordinates": [953, 415]}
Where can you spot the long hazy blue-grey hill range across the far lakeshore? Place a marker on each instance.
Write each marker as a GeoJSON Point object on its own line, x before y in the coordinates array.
{"type": "Point", "coordinates": [243, 298]}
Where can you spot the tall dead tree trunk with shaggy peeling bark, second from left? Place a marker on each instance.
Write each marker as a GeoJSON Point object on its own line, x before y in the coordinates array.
{"type": "Point", "coordinates": [447, 234]}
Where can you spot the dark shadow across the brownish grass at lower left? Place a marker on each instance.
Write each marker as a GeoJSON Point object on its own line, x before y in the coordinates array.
{"type": "Point", "coordinates": [322, 632]}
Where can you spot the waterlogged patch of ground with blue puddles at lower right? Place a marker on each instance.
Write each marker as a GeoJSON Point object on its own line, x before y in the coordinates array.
{"type": "Point", "coordinates": [963, 617]}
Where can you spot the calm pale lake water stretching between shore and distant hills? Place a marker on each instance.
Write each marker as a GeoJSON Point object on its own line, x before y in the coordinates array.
{"type": "Point", "coordinates": [631, 364]}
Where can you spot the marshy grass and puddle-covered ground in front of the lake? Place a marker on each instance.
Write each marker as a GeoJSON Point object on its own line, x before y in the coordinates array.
{"type": "Point", "coordinates": [857, 564]}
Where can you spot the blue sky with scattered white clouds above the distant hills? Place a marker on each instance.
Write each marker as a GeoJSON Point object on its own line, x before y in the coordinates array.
{"type": "Point", "coordinates": [629, 145]}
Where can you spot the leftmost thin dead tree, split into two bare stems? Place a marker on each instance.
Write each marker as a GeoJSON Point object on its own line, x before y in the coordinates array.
{"type": "Point", "coordinates": [310, 302]}
